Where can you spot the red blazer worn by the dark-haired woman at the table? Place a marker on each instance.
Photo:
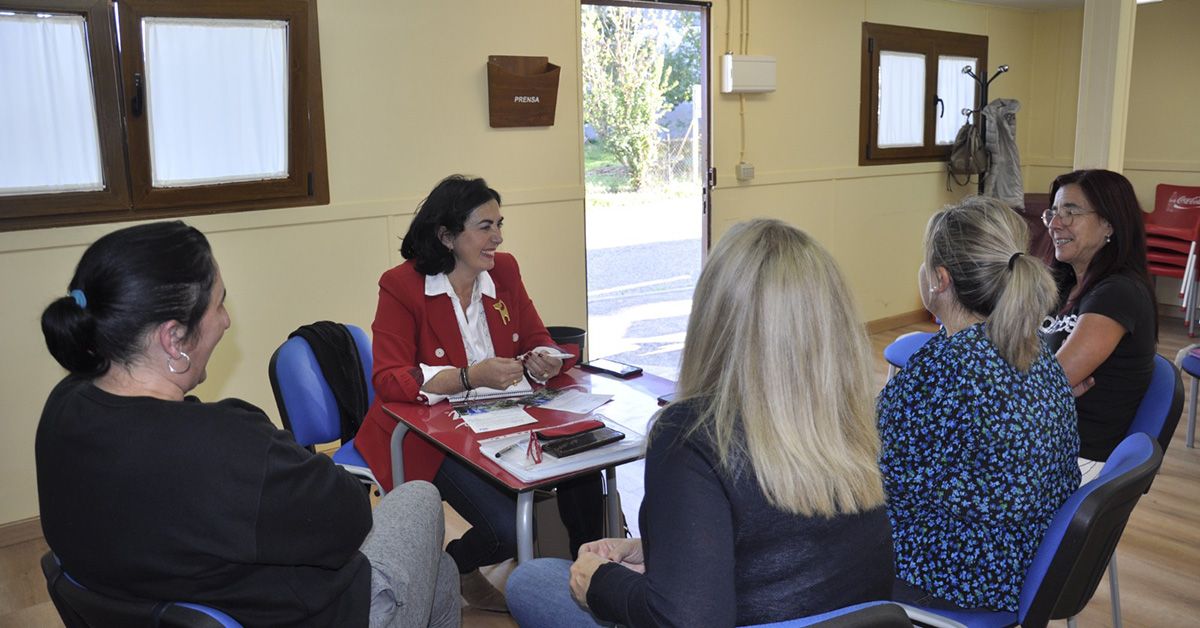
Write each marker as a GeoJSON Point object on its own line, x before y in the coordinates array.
{"type": "Point", "coordinates": [411, 330]}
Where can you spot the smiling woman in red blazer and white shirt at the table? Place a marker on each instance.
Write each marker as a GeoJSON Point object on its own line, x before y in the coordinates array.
{"type": "Point", "coordinates": [453, 318]}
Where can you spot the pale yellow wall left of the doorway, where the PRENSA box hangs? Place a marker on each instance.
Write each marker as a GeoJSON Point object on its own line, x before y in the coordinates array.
{"type": "Point", "coordinates": [406, 99]}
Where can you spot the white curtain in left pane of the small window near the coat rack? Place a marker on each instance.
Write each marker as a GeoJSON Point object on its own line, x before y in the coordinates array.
{"type": "Point", "coordinates": [902, 100]}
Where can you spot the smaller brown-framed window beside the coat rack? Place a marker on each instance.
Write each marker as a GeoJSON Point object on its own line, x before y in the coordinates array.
{"type": "Point", "coordinates": [914, 92]}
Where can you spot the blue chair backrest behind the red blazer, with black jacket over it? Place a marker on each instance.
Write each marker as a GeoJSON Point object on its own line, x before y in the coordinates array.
{"type": "Point", "coordinates": [307, 404]}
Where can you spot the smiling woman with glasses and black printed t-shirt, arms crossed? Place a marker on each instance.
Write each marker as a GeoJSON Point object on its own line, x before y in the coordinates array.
{"type": "Point", "coordinates": [1106, 327]}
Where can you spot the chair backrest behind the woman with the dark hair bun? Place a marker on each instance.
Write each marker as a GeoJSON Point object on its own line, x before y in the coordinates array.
{"type": "Point", "coordinates": [83, 608]}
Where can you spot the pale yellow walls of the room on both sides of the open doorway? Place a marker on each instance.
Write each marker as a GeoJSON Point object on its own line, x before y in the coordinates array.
{"type": "Point", "coordinates": [406, 105]}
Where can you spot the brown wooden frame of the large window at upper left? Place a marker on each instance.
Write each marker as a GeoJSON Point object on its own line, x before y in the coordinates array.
{"type": "Point", "coordinates": [124, 139]}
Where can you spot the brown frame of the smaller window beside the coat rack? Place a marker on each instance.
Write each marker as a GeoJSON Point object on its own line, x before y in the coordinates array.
{"type": "Point", "coordinates": [932, 44]}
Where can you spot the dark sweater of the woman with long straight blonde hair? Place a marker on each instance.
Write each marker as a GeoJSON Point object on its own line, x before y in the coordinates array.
{"type": "Point", "coordinates": [719, 554]}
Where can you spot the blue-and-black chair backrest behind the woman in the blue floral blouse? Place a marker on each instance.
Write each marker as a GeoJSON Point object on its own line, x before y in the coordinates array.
{"type": "Point", "coordinates": [1084, 533]}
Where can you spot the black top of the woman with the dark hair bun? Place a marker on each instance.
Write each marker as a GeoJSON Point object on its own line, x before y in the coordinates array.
{"type": "Point", "coordinates": [211, 504]}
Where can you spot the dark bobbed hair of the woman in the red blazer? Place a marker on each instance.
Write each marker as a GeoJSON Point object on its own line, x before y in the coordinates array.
{"type": "Point", "coordinates": [447, 207]}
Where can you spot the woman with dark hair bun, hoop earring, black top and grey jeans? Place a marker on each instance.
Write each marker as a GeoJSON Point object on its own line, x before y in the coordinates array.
{"type": "Point", "coordinates": [147, 493]}
